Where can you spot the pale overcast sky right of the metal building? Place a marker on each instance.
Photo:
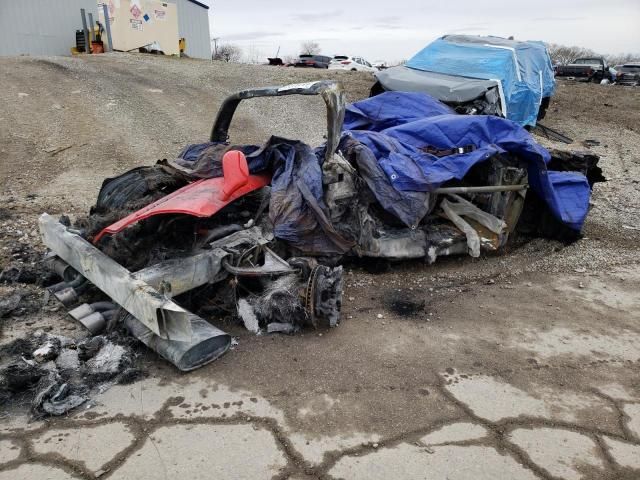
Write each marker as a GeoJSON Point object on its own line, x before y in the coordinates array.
{"type": "Point", "coordinates": [396, 29]}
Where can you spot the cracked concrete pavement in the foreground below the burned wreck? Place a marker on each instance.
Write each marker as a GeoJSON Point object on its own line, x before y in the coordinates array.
{"type": "Point", "coordinates": [536, 404]}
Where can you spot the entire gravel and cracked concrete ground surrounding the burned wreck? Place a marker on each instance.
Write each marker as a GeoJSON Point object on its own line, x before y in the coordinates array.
{"type": "Point", "coordinates": [520, 365]}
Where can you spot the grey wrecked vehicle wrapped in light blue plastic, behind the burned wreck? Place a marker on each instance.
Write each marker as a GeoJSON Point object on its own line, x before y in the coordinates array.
{"type": "Point", "coordinates": [479, 75]}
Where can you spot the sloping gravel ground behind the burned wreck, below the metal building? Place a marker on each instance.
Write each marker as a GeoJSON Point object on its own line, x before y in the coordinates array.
{"type": "Point", "coordinates": [118, 111]}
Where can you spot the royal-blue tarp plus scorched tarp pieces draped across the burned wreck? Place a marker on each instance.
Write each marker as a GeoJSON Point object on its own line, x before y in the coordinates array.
{"type": "Point", "coordinates": [391, 135]}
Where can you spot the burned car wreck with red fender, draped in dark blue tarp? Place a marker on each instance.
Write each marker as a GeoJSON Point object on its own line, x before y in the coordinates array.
{"type": "Point", "coordinates": [259, 231]}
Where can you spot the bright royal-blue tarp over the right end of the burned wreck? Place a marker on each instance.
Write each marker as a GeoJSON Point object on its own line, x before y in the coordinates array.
{"type": "Point", "coordinates": [397, 126]}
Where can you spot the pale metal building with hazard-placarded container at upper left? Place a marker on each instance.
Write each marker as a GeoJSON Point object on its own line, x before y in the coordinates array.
{"type": "Point", "coordinates": [48, 27]}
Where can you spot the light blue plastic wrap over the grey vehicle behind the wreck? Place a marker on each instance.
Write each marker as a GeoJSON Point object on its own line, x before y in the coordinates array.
{"type": "Point", "coordinates": [523, 69]}
